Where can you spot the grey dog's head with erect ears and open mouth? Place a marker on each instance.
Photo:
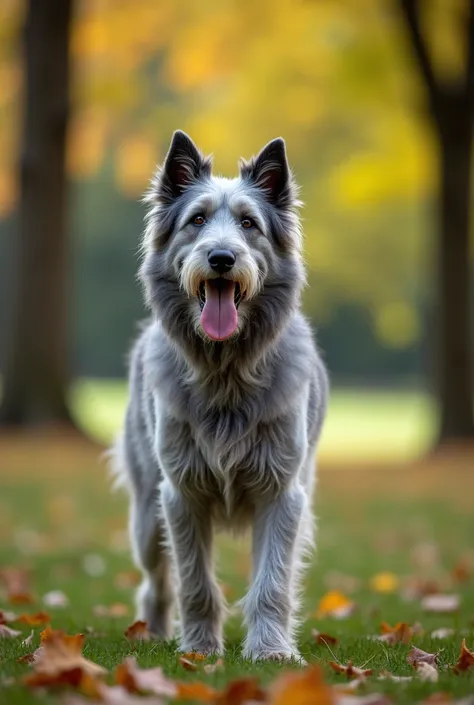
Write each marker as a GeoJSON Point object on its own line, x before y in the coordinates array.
{"type": "Point", "coordinates": [222, 257]}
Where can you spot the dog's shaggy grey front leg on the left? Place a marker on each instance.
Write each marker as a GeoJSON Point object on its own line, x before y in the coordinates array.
{"type": "Point", "coordinates": [190, 537]}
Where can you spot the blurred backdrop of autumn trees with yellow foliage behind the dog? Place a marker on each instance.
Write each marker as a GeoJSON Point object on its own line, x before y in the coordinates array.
{"type": "Point", "coordinates": [380, 147]}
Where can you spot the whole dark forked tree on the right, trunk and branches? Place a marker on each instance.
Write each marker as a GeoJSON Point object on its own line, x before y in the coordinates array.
{"type": "Point", "coordinates": [450, 106]}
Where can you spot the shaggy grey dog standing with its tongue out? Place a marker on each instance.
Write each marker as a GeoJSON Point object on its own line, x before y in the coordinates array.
{"type": "Point", "coordinates": [227, 399]}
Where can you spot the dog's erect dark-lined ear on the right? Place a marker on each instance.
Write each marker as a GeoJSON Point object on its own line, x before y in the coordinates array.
{"type": "Point", "coordinates": [269, 171]}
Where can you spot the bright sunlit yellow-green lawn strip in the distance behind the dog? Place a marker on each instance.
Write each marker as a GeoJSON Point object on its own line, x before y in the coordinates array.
{"type": "Point", "coordinates": [361, 424]}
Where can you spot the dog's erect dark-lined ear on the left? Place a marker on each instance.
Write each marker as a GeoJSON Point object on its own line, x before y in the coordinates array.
{"type": "Point", "coordinates": [183, 165]}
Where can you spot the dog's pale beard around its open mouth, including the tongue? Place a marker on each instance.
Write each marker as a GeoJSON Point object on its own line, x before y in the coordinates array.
{"type": "Point", "coordinates": [219, 298]}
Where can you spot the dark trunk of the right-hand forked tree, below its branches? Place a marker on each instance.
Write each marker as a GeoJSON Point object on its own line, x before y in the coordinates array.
{"type": "Point", "coordinates": [453, 331]}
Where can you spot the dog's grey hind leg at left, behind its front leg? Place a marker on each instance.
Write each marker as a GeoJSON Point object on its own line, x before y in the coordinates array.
{"type": "Point", "coordinates": [155, 594]}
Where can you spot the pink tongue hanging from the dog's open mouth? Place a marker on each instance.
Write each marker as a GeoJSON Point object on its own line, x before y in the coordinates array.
{"type": "Point", "coordinates": [219, 316]}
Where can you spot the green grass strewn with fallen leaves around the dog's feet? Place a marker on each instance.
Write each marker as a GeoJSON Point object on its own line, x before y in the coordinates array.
{"type": "Point", "coordinates": [58, 518]}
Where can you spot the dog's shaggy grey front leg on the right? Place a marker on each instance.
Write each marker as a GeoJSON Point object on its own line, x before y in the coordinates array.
{"type": "Point", "coordinates": [269, 603]}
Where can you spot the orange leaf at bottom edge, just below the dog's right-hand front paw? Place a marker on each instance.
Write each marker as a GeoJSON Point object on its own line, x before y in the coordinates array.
{"type": "Point", "coordinates": [300, 688]}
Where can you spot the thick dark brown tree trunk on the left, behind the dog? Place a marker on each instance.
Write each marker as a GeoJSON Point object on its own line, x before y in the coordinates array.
{"type": "Point", "coordinates": [36, 371]}
